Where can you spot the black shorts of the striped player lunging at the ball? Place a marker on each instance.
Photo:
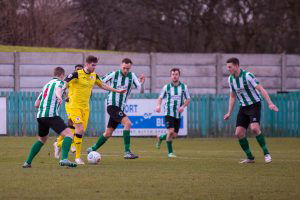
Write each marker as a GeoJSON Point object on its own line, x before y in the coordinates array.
{"type": "Point", "coordinates": [116, 116]}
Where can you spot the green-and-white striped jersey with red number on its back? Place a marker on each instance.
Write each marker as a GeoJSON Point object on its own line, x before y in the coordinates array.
{"type": "Point", "coordinates": [49, 106]}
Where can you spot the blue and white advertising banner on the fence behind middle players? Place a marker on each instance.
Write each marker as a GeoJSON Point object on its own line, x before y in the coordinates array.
{"type": "Point", "coordinates": [145, 121]}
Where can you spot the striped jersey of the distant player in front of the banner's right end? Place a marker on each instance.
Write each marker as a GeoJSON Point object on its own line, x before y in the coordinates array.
{"type": "Point", "coordinates": [174, 96]}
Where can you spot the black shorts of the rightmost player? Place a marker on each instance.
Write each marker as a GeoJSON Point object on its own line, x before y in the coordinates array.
{"type": "Point", "coordinates": [248, 114]}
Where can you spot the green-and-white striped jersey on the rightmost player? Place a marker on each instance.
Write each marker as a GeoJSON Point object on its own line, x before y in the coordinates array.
{"type": "Point", "coordinates": [244, 88]}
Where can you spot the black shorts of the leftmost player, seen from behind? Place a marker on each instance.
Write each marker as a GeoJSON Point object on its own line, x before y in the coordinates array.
{"type": "Point", "coordinates": [56, 123]}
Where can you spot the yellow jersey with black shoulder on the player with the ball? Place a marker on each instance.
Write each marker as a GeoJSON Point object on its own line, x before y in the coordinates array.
{"type": "Point", "coordinates": [80, 85]}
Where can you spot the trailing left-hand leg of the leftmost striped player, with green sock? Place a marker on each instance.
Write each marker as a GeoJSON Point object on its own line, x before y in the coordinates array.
{"type": "Point", "coordinates": [42, 138]}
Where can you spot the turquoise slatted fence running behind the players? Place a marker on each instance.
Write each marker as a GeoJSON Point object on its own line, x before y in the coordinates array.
{"type": "Point", "coordinates": [205, 115]}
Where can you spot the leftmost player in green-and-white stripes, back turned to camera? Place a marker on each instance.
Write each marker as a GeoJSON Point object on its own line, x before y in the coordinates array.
{"type": "Point", "coordinates": [48, 103]}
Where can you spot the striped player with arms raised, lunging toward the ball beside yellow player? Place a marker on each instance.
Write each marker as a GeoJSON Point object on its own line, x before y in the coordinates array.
{"type": "Point", "coordinates": [123, 79]}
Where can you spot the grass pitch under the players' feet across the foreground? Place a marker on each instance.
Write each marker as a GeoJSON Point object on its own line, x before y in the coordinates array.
{"type": "Point", "coordinates": [204, 169]}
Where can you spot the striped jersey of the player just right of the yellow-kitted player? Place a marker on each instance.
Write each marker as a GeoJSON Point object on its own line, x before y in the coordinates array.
{"type": "Point", "coordinates": [119, 81]}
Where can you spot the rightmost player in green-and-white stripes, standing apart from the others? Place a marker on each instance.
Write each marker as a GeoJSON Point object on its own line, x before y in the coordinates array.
{"type": "Point", "coordinates": [246, 88]}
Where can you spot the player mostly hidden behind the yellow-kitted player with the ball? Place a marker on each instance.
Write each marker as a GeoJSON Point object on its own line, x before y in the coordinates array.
{"type": "Point", "coordinates": [57, 145]}
